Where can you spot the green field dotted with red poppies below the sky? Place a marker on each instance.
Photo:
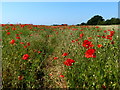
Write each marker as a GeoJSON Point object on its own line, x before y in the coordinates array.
{"type": "Point", "coordinates": [38, 56]}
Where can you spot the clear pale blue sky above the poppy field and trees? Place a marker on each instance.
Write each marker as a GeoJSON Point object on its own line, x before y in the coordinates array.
{"type": "Point", "coordinates": [48, 13]}
